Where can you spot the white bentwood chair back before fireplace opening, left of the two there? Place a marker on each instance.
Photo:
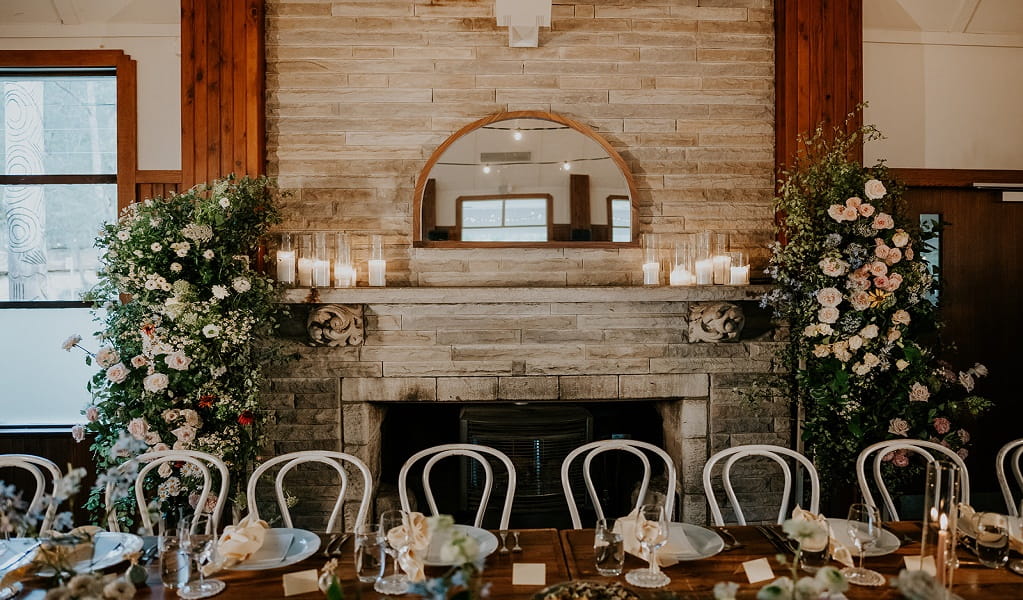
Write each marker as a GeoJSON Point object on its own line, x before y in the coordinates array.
{"type": "Point", "coordinates": [473, 451]}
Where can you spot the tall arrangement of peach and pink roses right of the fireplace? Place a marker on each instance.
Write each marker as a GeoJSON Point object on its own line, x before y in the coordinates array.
{"type": "Point", "coordinates": [863, 352]}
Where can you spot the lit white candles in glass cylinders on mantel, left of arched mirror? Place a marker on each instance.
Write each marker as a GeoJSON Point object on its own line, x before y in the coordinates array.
{"type": "Point", "coordinates": [306, 261]}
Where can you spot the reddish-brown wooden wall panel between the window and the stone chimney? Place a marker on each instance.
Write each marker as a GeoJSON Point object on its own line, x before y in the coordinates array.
{"type": "Point", "coordinates": [223, 86]}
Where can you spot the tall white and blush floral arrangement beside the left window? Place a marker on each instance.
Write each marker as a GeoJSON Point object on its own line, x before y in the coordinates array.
{"type": "Point", "coordinates": [182, 365]}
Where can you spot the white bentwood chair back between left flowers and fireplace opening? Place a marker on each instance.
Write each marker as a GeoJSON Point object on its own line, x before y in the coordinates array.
{"type": "Point", "coordinates": [335, 460]}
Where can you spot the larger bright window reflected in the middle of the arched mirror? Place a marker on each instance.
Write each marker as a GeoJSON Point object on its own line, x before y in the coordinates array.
{"type": "Point", "coordinates": [505, 218]}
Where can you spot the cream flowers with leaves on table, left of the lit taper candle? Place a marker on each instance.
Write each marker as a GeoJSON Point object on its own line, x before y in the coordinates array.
{"type": "Point", "coordinates": [827, 583]}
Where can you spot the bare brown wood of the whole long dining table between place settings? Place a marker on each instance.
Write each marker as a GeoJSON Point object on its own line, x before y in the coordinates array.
{"type": "Point", "coordinates": [568, 556]}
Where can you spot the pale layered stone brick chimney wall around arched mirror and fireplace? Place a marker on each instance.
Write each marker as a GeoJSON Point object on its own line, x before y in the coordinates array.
{"type": "Point", "coordinates": [362, 93]}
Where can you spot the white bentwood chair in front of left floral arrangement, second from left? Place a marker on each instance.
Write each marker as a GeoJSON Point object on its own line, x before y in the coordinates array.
{"type": "Point", "coordinates": [200, 464]}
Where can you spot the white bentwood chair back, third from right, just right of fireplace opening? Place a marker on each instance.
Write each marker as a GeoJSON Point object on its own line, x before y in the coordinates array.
{"type": "Point", "coordinates": [776, 453]}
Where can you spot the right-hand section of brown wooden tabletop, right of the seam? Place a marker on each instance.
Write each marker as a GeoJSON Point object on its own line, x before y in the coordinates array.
{"type": "Point", "coordinates": [697, 579]}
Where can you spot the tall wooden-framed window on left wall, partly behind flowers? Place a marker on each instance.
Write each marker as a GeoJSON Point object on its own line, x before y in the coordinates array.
{"type": "Point", "coordinates": [68, 166]}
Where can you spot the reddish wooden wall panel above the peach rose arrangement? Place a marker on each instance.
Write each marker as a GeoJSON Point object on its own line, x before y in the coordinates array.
{"type": "Point", "coordinates": [819, 68]}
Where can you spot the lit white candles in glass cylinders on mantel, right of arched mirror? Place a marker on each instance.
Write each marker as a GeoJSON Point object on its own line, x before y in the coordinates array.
{"type": "Point", "coordinates": [699, 259]}
